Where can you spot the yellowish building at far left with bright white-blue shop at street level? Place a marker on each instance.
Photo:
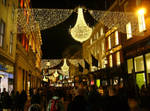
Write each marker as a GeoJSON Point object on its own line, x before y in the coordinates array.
{"type": "Point", "coordinates": [8, 39]}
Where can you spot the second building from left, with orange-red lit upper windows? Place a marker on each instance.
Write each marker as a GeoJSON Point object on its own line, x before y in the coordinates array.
{"type": "Point", "coordinates": [28, 56]}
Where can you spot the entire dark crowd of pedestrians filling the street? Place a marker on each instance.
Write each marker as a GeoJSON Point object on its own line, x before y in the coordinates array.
{"type": "Point", "coordinates": [80, 98]}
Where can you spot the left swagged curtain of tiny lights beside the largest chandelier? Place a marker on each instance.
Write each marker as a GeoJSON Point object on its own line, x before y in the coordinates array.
{"type": "Point", "coordinates": [46, 18]}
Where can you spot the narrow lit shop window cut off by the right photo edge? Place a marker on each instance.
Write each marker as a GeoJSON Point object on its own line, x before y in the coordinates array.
{"type": "Point", "coordinates": [147, 56]}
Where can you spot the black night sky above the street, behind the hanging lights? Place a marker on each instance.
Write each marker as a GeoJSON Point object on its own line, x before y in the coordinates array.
{"type": "Point", "coordinates": [57, 39]}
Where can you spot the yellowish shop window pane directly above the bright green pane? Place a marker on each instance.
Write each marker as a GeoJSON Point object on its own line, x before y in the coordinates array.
{"type": "Point", "coordinates": [139, 64]}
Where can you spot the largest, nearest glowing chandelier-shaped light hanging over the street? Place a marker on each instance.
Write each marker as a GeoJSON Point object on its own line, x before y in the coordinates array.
{"type": "Point", "coordinates": [81, 32]}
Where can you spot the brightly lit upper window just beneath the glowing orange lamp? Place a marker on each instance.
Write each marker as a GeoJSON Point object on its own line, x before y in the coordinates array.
{"type": "Point", "coordinates": [141, 21]}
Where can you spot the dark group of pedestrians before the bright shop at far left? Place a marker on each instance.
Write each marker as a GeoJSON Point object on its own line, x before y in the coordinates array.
{"type": "Point", "coordinates": [14, 101]}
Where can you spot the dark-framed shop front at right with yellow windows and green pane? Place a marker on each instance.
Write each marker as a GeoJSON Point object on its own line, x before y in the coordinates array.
{"type": "Point", "coordinates": [138, 63]}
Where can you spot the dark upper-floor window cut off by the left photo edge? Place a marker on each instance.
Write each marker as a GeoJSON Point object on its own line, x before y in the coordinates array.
{"type": "Point", "coordinates": [2, 32]}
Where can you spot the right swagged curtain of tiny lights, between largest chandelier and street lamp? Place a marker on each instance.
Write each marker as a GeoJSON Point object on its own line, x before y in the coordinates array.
{"type": "Point", "coordinates": [117, 19]}
